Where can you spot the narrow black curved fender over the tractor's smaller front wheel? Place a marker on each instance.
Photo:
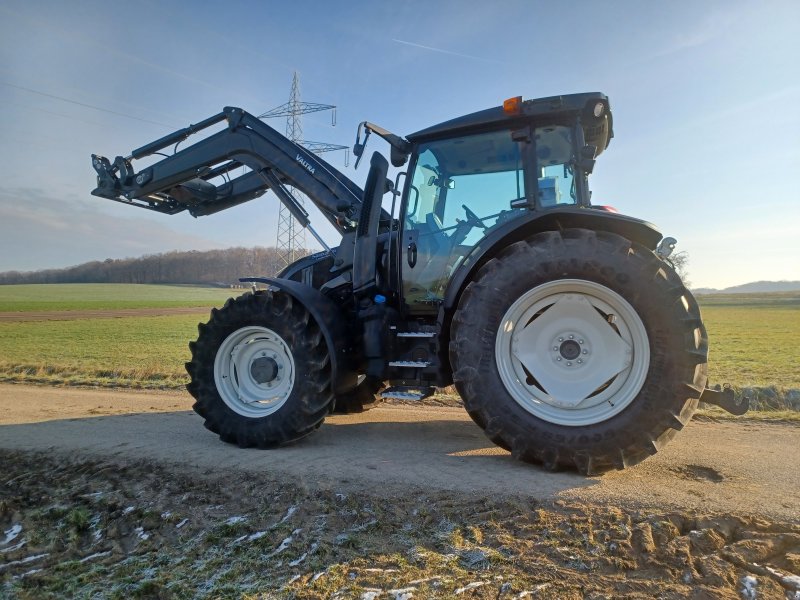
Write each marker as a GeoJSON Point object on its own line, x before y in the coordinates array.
{"type": "Point", "coordinates": [333, 323]}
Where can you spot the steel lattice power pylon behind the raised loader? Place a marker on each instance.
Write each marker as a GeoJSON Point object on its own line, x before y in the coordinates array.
{"type": "Point", "coordinates": [291, 238]}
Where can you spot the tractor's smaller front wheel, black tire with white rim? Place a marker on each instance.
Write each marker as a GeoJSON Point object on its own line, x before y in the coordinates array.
{"type": "Point", "coordinates": [260, 371]}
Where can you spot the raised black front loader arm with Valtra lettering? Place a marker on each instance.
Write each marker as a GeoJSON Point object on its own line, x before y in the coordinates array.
{"type": "Point", "coordinates": [200, 178]}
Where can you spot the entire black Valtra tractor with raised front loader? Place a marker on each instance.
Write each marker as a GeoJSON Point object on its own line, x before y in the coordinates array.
{"type": "Point", "coordinates": [565, 329]}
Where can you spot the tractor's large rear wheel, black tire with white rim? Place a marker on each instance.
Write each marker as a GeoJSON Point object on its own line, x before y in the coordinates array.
{"type": "Point", "coordinates": [579, 349]}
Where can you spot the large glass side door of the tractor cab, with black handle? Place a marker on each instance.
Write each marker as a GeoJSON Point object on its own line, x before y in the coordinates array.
{"type": "Point", "coordinates": [459, 189]}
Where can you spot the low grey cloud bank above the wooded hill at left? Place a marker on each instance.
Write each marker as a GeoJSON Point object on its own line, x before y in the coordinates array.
{"type": "Point", "coordinates": [38, 231]}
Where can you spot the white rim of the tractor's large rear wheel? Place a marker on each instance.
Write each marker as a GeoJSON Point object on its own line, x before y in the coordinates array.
{"type": "Point", "coordinates": [572, 352]}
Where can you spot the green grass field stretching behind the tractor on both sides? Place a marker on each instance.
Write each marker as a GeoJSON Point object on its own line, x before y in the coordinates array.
{"type": "Point", "coordinates": [753, 338]}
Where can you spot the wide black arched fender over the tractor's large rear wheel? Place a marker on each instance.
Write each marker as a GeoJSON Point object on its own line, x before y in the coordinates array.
{"type": "Point", "coordinates": [557, 219]}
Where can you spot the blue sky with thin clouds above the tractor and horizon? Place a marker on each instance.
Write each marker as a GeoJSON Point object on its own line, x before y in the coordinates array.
{"type": "Point", "coordinates": [705, 96]}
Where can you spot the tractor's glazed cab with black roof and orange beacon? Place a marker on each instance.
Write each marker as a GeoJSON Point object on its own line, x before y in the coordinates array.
{"type": "Point", "coordinates": [472, 176]}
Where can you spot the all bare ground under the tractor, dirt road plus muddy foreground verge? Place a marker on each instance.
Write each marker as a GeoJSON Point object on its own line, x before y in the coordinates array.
{"type": "Point", "coordinates": [117, 495]}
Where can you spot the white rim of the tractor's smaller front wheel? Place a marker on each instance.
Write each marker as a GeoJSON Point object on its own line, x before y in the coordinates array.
{"type": "Point", "coordinates": [254, 371]}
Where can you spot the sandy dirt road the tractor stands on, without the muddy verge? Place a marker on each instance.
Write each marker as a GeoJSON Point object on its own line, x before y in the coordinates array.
{"type": "Point", "coordinates": [730, 467]}
